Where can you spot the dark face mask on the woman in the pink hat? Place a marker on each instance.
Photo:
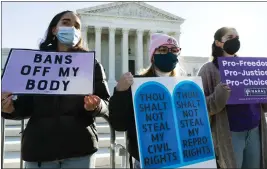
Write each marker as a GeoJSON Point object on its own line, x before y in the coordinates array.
{"type": "Point", "coordinates": [165, 62]}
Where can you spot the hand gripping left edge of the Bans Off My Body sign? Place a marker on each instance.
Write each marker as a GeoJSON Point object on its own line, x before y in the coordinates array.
{"type": "Point", "coordinates": [7, 102]}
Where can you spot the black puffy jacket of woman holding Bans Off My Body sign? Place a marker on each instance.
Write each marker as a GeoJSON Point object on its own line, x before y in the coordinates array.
{"type": "Point", "coordinates": [59, 126]}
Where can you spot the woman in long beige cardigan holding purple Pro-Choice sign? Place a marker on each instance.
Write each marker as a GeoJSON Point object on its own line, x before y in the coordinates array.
{"type": "Point", "coordinates": [239, 131]}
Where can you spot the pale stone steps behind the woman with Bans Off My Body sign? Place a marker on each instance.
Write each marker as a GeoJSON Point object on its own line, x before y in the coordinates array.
{"type": "Point", "coordinates": [13, 136]}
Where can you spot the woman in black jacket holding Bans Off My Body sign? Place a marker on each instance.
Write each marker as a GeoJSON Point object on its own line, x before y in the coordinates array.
{"type": "Point", "coordinates": [61, 132]}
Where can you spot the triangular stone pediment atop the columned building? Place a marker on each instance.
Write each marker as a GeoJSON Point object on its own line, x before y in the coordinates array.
{"type": "Point", "coordinates": [130, 9]}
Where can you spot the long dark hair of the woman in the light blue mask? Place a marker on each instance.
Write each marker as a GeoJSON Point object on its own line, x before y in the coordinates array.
{"type": "Point", "coordinates": [50, 42]}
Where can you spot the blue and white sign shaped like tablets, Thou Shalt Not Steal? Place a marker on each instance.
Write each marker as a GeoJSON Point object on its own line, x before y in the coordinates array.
{"type": "Point", "coordinates": [172, 123]}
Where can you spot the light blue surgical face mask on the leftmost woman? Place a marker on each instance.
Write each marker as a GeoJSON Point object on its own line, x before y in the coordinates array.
{"type": "Point", "coordinates": [68, 36]}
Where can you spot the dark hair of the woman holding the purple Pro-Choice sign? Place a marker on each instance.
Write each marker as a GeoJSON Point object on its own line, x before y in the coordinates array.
{"type": "Point", "coordinates": [217, 51]}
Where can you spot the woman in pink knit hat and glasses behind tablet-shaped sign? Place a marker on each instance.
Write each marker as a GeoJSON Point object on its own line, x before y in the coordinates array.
{"type": "Point", "coordinates": [164, 52]}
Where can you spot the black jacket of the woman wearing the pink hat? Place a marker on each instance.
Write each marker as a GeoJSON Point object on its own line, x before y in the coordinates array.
{"type": "Point", "coordinates": [121, 116]}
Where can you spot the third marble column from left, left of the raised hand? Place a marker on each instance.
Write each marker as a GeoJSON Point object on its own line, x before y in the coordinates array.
{"type": "Point", "coordinates": [112, 54]}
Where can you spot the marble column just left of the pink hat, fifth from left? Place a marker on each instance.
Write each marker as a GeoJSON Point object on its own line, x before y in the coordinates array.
{"type": "Point", "coordinates": [139, 53]}
